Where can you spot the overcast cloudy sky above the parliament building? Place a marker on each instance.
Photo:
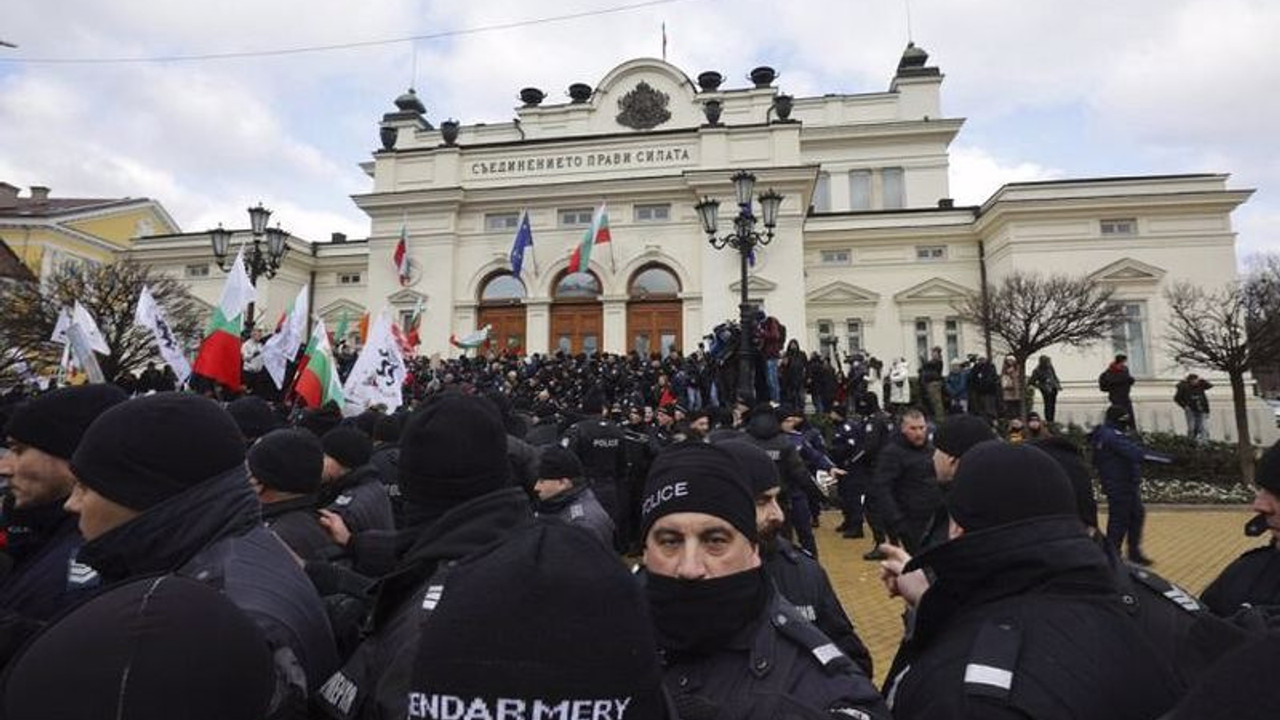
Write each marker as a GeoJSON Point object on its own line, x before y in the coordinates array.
{"type": "Point", "coordinates": [1049, 89]}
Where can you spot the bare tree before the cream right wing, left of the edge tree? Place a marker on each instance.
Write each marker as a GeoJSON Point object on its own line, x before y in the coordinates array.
{"type": "Point", "coordinates": [1030, 313]}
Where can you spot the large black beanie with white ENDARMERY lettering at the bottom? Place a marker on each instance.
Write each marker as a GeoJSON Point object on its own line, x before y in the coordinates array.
{"type": "Point", "coordinates": [476, 654]}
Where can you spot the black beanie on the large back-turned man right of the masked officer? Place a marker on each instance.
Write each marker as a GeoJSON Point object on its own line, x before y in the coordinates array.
{"type": "Point", "coordinates": [1000, 484]}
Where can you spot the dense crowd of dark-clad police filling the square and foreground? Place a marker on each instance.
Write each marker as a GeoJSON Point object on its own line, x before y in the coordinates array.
{"type": "Point", "coordinates": [172, 557]}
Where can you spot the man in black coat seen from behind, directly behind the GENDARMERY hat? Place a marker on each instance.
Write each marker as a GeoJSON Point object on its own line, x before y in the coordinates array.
{"type": "Point", "coordinates": [459, 500]}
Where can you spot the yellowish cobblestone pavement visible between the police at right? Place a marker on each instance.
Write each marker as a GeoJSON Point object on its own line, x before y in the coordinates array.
{"type": "Point", "coordinates": [1190, 545]}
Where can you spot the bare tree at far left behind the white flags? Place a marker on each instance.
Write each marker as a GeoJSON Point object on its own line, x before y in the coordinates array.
{"type": "Point", "coordinates": [111, 294]}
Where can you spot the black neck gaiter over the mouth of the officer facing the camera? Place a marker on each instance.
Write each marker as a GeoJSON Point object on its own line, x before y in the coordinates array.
{"type": "Point", "coordinates": [702, 616]}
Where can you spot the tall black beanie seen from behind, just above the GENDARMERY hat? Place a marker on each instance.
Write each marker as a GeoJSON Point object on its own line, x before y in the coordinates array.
{"type": "Point", "coordinates": [452, 450]}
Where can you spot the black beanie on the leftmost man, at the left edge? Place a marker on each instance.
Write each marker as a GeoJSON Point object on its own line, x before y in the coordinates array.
{"type": "Point", "coordinates": [57, 421]}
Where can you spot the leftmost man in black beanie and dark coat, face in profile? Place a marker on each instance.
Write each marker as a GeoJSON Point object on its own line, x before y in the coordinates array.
{"type": "Point", "coordinates": [44, 540]}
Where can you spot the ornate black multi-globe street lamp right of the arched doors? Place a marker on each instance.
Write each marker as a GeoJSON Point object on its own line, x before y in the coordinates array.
{"type": "Point", "coordinates": [746, 240]}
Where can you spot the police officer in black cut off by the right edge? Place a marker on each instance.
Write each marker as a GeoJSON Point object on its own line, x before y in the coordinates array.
{"type": "Point", "coordinates": [1254, 580]}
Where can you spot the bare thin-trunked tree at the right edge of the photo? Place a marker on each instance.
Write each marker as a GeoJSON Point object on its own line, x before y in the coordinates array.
{"type": "Point", "coordinates": [1231, 330]}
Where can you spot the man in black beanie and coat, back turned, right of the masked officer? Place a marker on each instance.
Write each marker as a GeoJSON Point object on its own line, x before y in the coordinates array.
{"type": "Point", "coordinates": [1023, 618]}
